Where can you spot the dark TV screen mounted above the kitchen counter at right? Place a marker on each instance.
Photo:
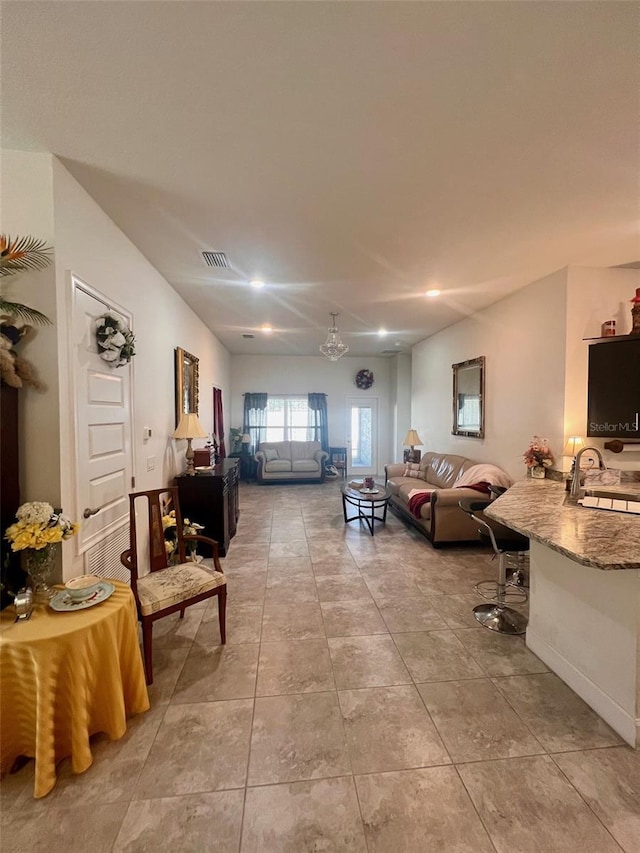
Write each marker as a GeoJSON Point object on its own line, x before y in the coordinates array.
{"type": "Point", "coordinates": [613, 408]}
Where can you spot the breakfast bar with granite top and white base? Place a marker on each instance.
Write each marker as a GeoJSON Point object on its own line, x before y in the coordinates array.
{"type": "Point", "coordinates": [584, 616]}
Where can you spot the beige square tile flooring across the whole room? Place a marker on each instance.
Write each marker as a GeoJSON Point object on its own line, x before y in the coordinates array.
{"type": "Point", "coordinates": [356, 707]}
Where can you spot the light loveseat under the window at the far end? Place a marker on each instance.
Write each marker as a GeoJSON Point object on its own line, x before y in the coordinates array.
{"type": "Point", "coordinates": [290, 461]}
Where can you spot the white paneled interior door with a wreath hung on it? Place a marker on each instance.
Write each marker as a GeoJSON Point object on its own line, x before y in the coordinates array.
{"type": "Point", "coordinates": [104, 460]}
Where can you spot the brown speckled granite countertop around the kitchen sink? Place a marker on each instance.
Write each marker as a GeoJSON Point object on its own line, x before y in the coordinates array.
{"type": "Point", "coordinates": [592, 537]}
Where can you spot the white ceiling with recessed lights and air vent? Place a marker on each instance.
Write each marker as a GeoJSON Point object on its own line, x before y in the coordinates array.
{"type": "Point", "coordinates": [351, 154]}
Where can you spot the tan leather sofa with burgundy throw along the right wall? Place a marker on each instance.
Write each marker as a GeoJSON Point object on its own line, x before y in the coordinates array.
{"type": "Point", "coordinates": [426, 494]}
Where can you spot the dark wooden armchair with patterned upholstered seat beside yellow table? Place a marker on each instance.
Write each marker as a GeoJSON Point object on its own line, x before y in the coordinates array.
{"type": "Point", "coordinates": [166, 588]}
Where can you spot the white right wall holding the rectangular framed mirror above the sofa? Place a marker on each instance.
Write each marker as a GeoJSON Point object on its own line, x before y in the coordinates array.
{"type": "Point", "coordinates": [522, 338]}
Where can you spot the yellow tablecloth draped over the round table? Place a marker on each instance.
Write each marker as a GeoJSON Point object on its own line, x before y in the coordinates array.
{"type": "Point", "coordinates": [64, 677]}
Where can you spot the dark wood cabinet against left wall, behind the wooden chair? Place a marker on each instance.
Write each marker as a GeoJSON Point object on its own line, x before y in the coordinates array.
{"type": "Point", "coordinates": [211, 499]}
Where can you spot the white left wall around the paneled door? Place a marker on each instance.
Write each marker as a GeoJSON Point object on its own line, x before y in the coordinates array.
{"type": "Point", "coordinates": [41, 198]}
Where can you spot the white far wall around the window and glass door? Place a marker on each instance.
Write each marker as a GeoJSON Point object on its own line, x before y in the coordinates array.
{"type": "Point", "coordinates": [300, 375]}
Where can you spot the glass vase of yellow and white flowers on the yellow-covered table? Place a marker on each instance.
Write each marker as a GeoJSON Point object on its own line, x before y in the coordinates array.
{"type": "Point", "coordinates": [38, 533]}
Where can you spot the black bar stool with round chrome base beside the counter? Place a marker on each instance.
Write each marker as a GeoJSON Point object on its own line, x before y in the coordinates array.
{"type": "Point", "coordinates": [508, 546]}
